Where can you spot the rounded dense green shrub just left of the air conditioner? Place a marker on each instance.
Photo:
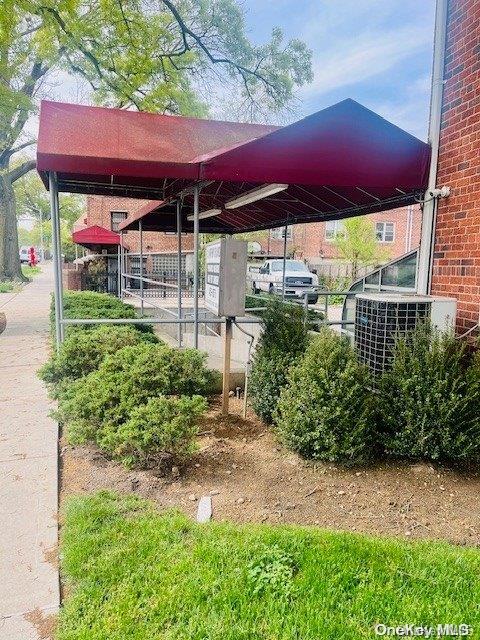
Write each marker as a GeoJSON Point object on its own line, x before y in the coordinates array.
{"type": "Point", "coordinates": [326, 411]}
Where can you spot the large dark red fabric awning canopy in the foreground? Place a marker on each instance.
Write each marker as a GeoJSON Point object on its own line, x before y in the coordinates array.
{"type": "Point", "coordinates": [342, 161]}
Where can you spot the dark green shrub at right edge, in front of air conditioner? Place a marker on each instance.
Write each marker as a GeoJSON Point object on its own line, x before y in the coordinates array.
{"type": "Point", "coordinates": [430, 399]}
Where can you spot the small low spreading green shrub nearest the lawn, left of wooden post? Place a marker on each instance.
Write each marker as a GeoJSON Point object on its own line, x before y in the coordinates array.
{"type": "Point", "coordinates": [163, 428]}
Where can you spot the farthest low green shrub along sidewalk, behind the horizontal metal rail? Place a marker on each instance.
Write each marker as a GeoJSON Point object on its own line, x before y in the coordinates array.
{"type": "Point", "coordinates": [92, 305]}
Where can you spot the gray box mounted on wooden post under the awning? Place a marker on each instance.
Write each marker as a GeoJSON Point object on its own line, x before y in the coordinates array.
{"type": "Point", "coordinates": [225, 273]}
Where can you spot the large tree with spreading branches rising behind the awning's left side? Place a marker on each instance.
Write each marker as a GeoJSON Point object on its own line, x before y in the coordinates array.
{"type": "Point", "coordinates": [167, 56]}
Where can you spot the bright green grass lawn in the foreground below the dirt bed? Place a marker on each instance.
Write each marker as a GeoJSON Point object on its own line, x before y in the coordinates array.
{"type": "Point", "coordinates": [133, 573]}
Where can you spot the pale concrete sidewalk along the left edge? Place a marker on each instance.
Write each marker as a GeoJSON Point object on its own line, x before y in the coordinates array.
{"type": "Point", "coordinates": [29, 589]}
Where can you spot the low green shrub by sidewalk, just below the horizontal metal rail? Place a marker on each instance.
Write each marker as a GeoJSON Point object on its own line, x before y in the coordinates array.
{"type": "Point", "coordinates": [83, 351]}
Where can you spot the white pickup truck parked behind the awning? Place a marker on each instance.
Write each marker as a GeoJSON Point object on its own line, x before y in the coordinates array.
{"type": "Point", "coordinates": [299, 280]}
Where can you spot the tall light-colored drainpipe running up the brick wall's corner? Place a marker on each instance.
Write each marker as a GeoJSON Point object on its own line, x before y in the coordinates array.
{"type": "Point", "coordinates": [427, 242]}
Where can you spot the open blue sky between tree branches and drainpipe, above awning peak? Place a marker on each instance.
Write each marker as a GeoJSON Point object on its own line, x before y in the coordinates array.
{"type": "Point", "coordinates": [378, 52]}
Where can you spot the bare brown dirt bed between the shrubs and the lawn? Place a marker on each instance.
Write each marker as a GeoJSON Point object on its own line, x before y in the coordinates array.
{"type": "Point", "coordinates": [254, 479]}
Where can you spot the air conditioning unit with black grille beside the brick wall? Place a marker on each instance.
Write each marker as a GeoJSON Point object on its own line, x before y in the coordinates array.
{"type": "Point", "coordinates": [381, 318]}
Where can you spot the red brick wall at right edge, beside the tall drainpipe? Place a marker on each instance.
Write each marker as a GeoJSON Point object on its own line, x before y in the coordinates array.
{"type": "Point", "coordinates": [456, 267]}
